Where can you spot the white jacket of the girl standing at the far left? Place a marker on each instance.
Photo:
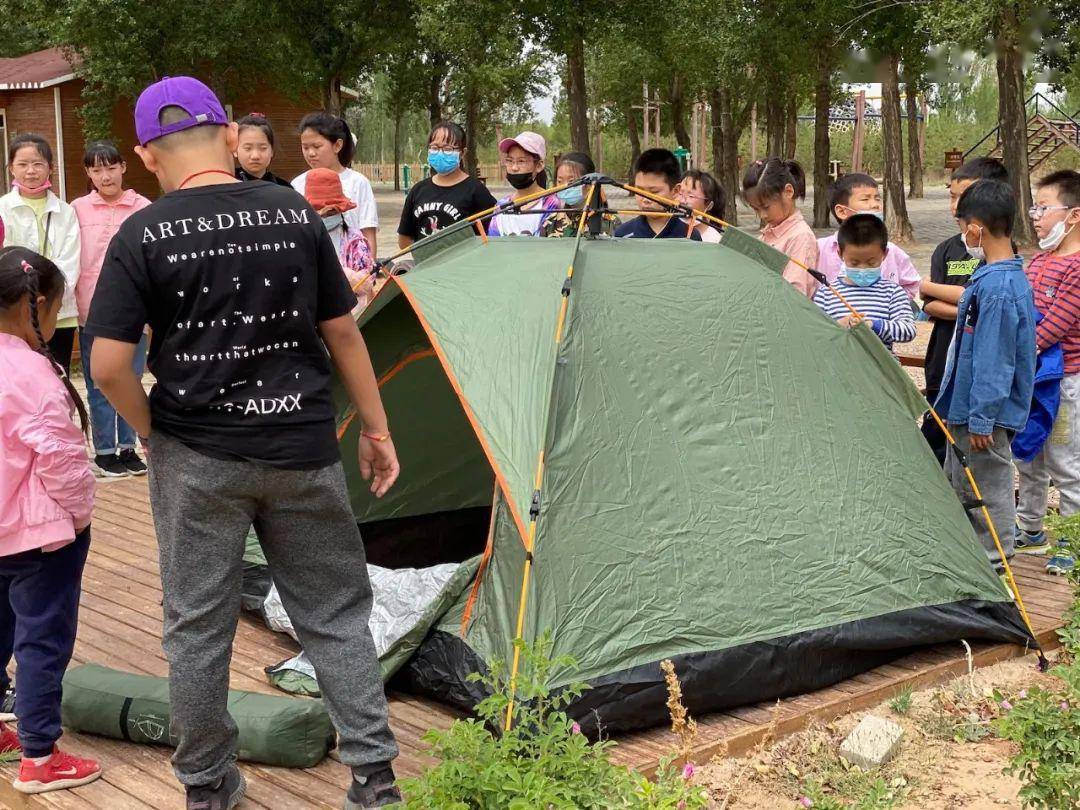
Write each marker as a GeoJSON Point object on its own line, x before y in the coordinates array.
{"type": "Point", "coordinates": [21, 231]}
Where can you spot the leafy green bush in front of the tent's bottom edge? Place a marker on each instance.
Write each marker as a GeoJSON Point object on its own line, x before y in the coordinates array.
{"type": "Point", "coordinates": [543, 762]}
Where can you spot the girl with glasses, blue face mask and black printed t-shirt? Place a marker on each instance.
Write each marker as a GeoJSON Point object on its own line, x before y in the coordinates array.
{"type": "Point", "coordinates": [449, 196]}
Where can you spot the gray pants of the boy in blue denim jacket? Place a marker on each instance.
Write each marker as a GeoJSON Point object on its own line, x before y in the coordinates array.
{"type": "Point", "coordinates": [993, 469]}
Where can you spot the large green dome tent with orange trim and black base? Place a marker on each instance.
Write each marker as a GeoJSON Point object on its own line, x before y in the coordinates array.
{"type": "Point", "coordinates": [730, 480]}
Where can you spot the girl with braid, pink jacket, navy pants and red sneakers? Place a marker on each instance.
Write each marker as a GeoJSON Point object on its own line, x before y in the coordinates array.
{"type": "Point", "coordinates": [47, 495]}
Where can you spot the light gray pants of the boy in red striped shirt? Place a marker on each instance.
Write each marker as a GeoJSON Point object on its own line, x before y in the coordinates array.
{"type": "Point", "coordinates": [1058, 461]}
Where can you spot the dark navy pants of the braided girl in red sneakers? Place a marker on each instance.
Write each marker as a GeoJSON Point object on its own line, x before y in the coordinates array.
{"type": "Point", "coordinates": [39, 613]}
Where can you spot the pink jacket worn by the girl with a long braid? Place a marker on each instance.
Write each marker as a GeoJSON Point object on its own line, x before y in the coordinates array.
{"type": "Point", "coordinates": [47, 489]}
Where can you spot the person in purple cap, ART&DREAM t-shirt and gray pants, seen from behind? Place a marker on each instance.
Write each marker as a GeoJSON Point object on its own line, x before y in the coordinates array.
{"type": "Point", "coordinates": [249, 305]}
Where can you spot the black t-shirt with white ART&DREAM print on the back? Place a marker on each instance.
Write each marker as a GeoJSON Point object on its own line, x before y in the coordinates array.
{"type": "Point", "coordinates": [234, 280]}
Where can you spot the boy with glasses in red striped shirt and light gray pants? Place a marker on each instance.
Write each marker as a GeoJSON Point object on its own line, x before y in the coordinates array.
{"type": "Point", "coordinates": [1056, 280]}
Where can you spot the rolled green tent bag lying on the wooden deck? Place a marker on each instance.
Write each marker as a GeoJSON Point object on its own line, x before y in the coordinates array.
{"type": "Point", "coordinates": [290, 733]}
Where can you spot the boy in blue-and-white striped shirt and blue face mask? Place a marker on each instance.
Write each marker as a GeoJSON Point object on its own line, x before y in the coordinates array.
{"type": "Point", "coordinates": [863, 242]}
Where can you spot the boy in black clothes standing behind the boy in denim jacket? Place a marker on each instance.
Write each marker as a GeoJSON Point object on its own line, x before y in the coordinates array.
{"type": "Point", "coordinates": [951, 269]}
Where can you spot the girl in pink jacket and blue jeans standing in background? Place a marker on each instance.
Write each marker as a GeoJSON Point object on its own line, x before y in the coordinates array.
{"type": "Point", "coordinates": [100, 214]}
